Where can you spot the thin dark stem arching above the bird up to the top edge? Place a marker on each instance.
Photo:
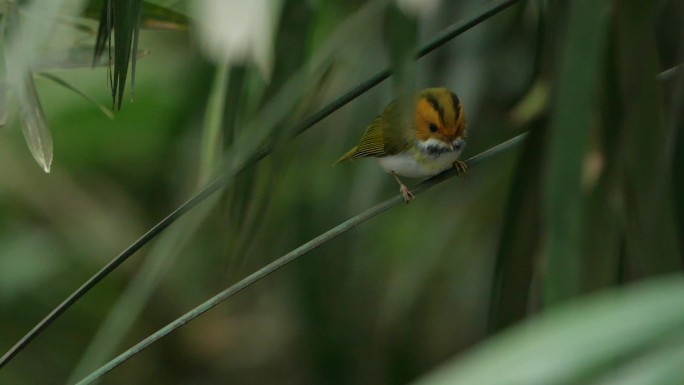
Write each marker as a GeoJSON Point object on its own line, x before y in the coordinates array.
{"type": "Point", "coordinates": [456, 29]}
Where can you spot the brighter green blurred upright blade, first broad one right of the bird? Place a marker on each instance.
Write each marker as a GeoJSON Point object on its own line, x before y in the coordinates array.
{"type": "Point", "coordinates": [573, 114]}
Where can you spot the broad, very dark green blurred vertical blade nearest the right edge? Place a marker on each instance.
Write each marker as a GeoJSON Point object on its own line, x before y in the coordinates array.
{"type": "Point", "coordinates": [651, 233]}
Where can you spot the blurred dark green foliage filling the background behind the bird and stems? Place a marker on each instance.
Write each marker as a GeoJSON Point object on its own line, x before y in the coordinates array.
{"type": "Point", "coordinates": [592, 201]}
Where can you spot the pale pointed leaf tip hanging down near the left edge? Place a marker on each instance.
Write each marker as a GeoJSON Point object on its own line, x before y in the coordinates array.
{"type": "Point", "coordinates": [33, 124]}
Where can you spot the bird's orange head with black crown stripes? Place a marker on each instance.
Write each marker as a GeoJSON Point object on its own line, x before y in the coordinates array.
{"type": "Point", "coordinates": [439, 121]}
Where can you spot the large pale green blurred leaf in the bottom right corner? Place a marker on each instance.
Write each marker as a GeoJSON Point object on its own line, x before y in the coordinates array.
{"type": "Point", "coordinates": [572, 341]}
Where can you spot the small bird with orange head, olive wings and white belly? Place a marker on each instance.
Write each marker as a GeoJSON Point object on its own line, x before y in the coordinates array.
{"type": "Point", "coordinates": [419, 144]}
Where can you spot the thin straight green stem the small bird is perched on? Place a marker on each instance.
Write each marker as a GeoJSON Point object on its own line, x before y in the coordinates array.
{"type": "Point", "coordinates": [291, 256]}
